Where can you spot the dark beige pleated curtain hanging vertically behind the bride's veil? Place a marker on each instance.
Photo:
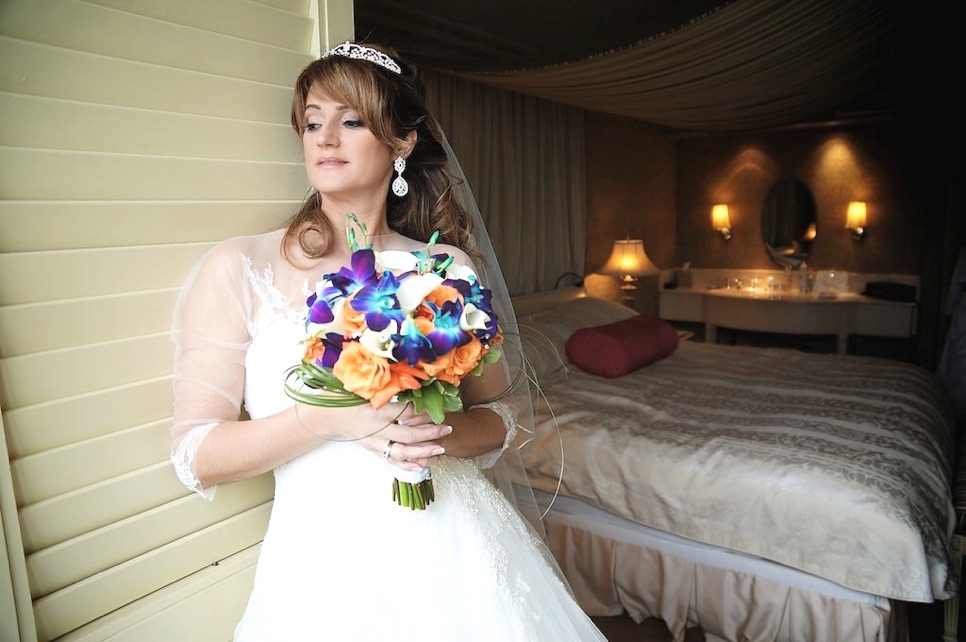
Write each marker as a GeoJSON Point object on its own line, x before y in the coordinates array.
{"type": "Point", "coordinates": [524, 159]}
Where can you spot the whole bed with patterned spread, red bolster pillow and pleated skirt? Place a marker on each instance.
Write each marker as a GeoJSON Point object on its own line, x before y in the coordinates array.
{"type": "Point", "coordinates": [756, 493]}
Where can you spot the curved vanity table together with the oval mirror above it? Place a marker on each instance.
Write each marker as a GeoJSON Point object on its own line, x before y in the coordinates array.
{"type": "Point", "coordinates": [776, 301]}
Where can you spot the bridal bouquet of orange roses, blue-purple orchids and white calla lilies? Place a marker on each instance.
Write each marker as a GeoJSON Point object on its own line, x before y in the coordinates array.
{"type": "Point", "coordinates": [395, 326]}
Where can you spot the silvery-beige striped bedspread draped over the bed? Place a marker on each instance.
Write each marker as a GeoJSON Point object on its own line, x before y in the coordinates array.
{"type": "Point", "coordinates": [836, 465]}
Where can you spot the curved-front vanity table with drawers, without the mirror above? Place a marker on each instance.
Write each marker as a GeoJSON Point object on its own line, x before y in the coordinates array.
{"type": "Point", "coordinates": [841, 315]}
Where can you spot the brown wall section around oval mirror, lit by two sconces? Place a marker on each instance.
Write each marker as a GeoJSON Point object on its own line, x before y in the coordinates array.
{"type": "Point", "coordinates": [866, 163]}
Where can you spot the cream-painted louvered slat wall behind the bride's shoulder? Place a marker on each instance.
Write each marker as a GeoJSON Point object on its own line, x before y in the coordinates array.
{"type": "Point", "coordinates": [134, 135]}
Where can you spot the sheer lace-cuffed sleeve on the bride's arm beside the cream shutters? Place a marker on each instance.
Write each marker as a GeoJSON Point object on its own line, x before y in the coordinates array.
{"type": "Point", "coordinates": [211, 333]}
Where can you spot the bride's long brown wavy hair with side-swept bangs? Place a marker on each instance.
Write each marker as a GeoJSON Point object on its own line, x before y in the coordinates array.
{"type": "Point", "coordinates": [391, 105]}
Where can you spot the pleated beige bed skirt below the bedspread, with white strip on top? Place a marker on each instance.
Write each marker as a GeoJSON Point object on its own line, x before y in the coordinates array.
{"type": "Point", "coordinates": [615, 565]}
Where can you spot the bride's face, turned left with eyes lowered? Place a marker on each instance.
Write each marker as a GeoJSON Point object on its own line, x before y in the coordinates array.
{"type": "Point", "coordinates": [343, 158]}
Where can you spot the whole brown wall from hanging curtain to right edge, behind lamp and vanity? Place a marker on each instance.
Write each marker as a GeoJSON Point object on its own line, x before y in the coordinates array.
{"type": "Point", "coordinates": [645, 184]}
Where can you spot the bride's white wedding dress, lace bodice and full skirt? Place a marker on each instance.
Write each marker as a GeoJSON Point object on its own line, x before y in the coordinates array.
{"type": "Point", "coordinates": [342, 562]}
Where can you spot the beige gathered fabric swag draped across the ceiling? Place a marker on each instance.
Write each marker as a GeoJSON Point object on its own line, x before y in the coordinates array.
{"type": "Point", "coordinates": [750, 64]}
